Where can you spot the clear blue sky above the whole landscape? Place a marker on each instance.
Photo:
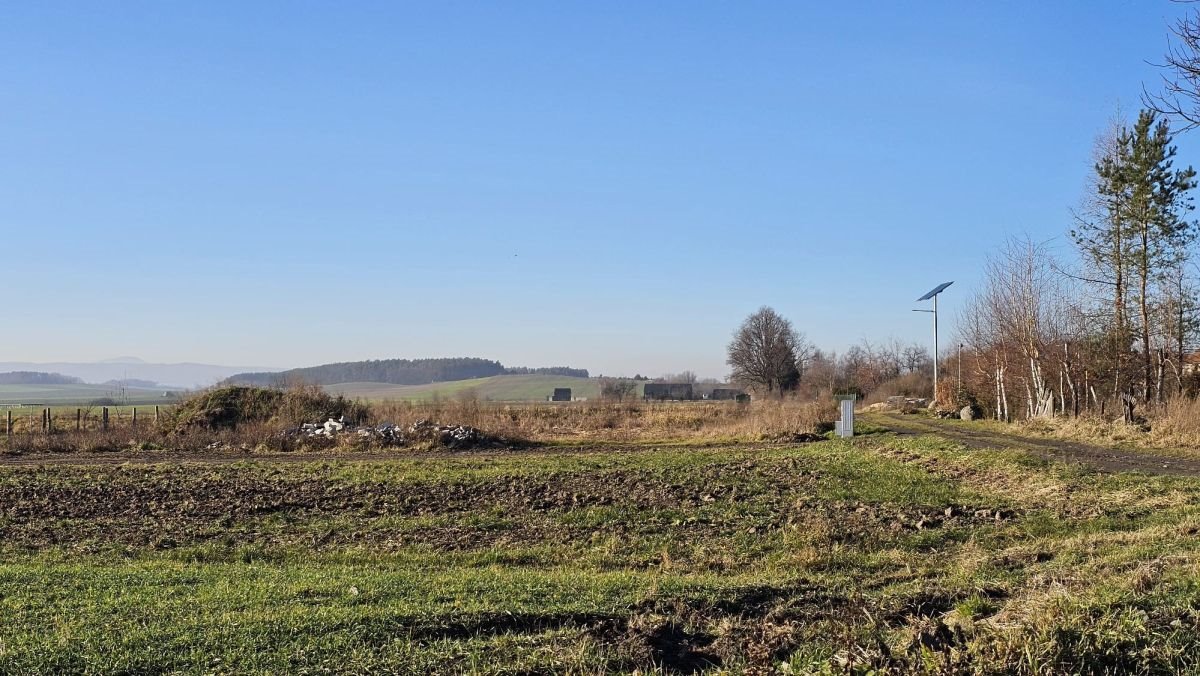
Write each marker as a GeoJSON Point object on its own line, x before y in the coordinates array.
{"type": "Point", "coordinates": [604, 186]}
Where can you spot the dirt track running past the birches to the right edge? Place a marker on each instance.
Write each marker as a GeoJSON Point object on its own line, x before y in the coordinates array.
{"type": "Point", "coordinates": [1097, 457]}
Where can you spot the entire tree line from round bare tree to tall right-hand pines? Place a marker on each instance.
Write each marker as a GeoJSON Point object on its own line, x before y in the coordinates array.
{"type": "Point", "coordinates": [1112, 330]}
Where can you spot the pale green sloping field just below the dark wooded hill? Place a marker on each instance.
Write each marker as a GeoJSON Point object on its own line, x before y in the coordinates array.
{"type": "Point", "coordinates": [496, 388]}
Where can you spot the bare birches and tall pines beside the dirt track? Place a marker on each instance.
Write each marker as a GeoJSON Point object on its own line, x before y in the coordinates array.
{"type": "Point", "coordinates": [1117, 328]}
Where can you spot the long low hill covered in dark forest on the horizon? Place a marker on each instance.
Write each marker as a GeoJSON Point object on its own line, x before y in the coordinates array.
{"type": "Point", "coordinates": [399, 373]}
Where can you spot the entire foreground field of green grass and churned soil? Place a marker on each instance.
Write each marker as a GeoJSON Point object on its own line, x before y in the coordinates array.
{"type": "Point", "coordinates": [881, 554]}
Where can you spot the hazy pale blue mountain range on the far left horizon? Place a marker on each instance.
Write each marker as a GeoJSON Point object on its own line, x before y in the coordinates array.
{"type": "Point", "coordinates": [177, 376]}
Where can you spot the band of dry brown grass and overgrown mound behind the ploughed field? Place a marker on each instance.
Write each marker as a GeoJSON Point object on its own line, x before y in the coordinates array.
{"type": "Point", "coordinates": [185, 429]}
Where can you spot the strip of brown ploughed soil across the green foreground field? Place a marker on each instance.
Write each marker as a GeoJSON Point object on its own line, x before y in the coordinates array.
{"type": "Point", "coordinates": [175, 505]}
